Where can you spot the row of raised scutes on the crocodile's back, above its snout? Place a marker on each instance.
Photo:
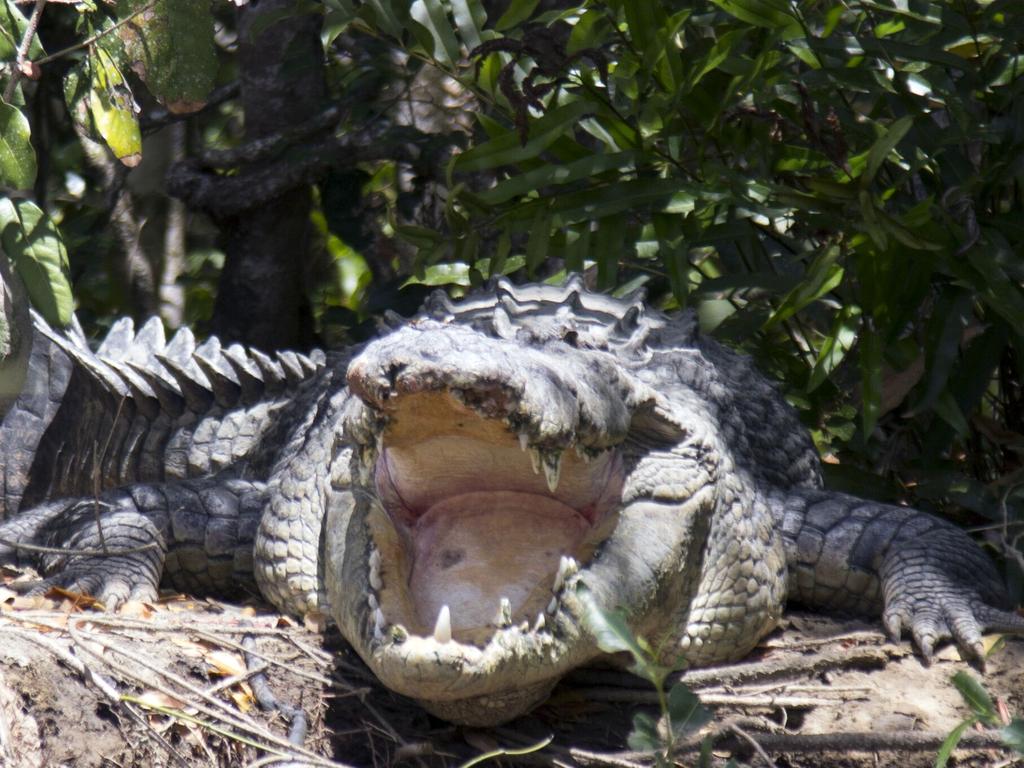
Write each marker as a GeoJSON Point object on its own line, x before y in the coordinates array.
{"type": "Point", "coordinates": [542, 313]}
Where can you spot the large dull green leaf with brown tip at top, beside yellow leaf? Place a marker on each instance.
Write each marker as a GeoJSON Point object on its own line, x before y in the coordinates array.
{"type": "Point", "coordinates": [172, 48]}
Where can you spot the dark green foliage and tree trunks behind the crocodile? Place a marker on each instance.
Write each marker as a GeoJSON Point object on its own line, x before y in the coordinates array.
{"type": "Point", "coordinates": [834, 188]}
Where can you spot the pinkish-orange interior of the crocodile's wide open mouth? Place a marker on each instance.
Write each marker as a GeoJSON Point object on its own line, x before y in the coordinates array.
{"type": "Point", "coordinates": [480, 531]}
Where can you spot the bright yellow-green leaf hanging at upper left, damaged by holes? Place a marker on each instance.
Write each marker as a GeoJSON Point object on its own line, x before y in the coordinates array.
{"type": "Point", "coordinates": [113, 109]}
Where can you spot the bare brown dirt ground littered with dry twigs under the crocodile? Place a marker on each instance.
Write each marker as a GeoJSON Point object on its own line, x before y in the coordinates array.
{"type": "Point", "coordinates": [168, 686]}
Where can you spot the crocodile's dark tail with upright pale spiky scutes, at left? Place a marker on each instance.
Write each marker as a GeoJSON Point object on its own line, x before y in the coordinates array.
{"type": "Point", "coordinates": [89, 420]}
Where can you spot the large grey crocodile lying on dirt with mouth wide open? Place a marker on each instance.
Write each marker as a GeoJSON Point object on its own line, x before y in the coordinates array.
{"type": "Point", "coordinates": [462, 492]}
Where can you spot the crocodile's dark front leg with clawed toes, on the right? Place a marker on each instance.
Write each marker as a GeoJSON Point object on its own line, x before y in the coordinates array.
{"type": "Point", "coordinates": [922, 574]}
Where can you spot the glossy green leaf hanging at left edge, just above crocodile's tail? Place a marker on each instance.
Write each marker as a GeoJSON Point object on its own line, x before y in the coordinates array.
{"type": "Point", "coordinates": [34, 245]}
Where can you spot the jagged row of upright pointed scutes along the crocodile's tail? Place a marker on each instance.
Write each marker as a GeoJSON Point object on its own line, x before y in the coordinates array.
{"type": "Point", "coordinates": [179, 375]}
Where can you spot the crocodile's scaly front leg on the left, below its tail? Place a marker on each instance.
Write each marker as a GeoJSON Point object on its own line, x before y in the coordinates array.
{"type": "Point", "coordinates": [197, 534]}
